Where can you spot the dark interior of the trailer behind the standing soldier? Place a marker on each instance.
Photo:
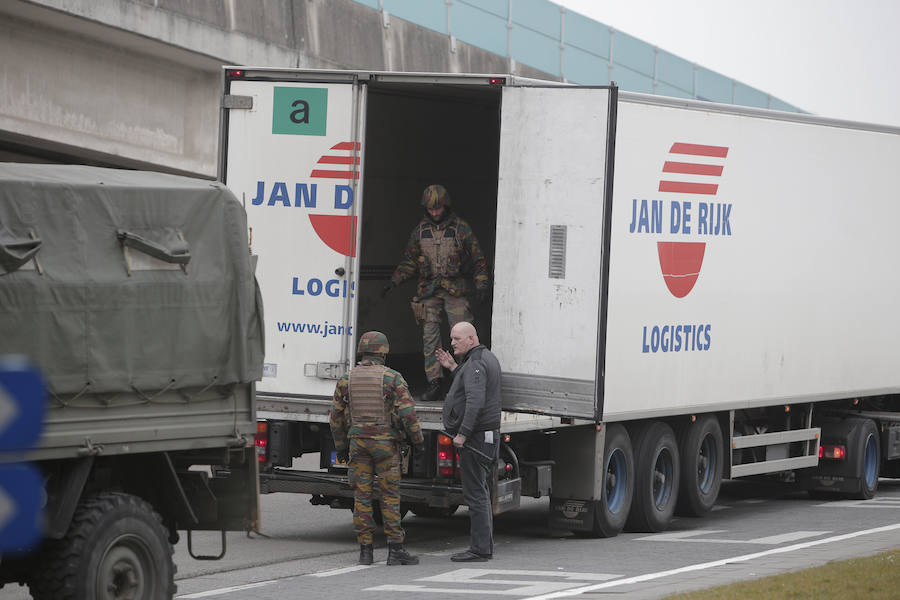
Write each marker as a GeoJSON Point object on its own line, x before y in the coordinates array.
{"type": "Point", "coordinates": [418, 135]}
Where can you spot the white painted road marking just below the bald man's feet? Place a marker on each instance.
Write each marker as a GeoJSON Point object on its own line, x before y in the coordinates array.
{"type": "Point", "coordinates": [521, 580]}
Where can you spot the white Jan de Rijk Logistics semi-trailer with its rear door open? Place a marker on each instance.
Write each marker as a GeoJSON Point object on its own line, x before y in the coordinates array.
{"type": "Point", "coordinates": [682, 291]}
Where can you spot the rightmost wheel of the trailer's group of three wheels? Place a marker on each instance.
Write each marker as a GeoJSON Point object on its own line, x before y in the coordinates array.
{"type": "Point", "coordinates": [702, 452]}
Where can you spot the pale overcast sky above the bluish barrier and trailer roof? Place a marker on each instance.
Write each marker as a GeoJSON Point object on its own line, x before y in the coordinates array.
{"type": "Point", "coordinates": [835, 58]}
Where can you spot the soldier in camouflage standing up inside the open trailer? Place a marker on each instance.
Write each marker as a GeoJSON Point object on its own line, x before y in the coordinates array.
{"type": "Point", "coordinates": [442, 252]}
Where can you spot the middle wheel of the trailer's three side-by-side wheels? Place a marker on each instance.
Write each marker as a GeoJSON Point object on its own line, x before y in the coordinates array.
{"type": "Point", "coordinates": [656, 481]}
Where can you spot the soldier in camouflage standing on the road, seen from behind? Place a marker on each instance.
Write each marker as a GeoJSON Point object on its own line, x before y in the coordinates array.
{"type": "Point", "coordinates": [371, 413]}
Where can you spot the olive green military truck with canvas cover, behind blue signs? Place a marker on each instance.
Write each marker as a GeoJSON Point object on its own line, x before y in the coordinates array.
{"type": "Point", "coordinates": [134, 294]}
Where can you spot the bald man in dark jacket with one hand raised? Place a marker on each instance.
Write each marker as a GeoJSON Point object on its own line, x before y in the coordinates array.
{"type": "Point", "coordinates": [472, 415]}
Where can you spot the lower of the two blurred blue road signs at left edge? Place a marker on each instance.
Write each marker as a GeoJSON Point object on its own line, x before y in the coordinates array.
{"type": "Point", "coordinates": [21, 504]}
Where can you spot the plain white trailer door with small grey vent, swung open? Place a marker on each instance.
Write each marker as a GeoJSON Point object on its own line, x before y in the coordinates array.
{"type": "Point", "coordinates": [551, 250]}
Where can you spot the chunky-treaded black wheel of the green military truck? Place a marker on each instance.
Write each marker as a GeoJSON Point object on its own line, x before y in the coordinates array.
{"type": "Point", "coordinates": [116, 548]}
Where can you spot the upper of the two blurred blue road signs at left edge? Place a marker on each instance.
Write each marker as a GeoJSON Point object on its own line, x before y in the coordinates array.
{"type": "Point", "coordinates": [22, 404]}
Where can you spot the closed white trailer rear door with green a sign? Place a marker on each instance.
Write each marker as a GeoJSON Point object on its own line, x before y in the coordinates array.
{"type": "Point", "coordinates": [293, 153]}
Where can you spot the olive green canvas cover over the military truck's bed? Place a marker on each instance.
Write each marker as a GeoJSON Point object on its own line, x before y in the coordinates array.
{"type": "Point", "coordinates": [125, 281]}
